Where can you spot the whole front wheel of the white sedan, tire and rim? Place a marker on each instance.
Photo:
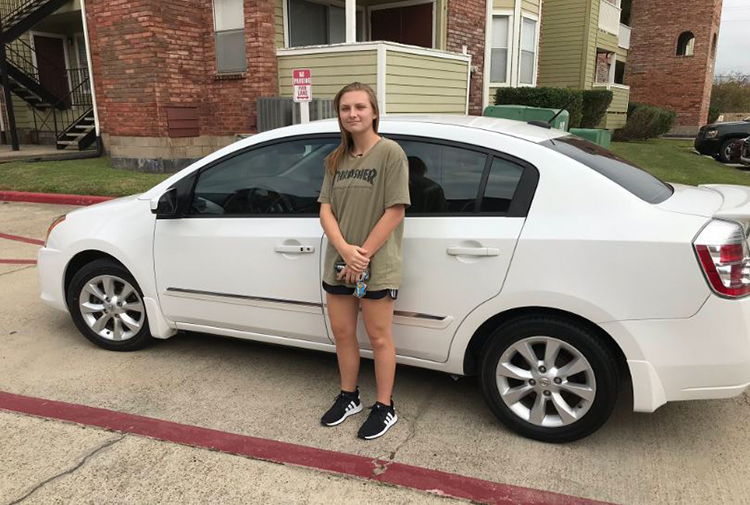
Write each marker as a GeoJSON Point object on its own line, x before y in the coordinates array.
{"type": "Point", "coordinates": [107, 306]}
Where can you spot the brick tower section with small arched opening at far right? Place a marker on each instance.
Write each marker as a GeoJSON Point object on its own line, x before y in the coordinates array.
{"type": "Point", "coordinates": [672, 57]}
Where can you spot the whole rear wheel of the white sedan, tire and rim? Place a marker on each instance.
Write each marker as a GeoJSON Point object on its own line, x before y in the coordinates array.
{"type": "Point", "coordinates": [549, 379]}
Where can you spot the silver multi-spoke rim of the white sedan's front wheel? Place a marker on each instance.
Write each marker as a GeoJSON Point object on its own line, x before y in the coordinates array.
{"type": "Point", "coordinates": [112, 308]}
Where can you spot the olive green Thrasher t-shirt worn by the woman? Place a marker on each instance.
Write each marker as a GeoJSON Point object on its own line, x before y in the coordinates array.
{"type": "Point", "coordinates": [359, 192]}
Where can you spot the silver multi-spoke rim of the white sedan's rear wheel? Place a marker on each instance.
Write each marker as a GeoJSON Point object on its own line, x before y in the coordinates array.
{"type": "Point", "coordinates": [546, 382]}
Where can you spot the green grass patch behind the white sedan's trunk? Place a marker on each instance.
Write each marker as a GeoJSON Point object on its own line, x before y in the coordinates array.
{"type": "Point", "coordinates": [676, 161]}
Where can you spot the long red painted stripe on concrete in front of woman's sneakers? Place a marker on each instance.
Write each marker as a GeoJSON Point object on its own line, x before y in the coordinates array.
{"type": "Point", "coordinates": [434, 481]}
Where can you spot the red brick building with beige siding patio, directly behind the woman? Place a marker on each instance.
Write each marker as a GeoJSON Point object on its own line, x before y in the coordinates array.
{"type": "Point", "coordinates": [163, 82]}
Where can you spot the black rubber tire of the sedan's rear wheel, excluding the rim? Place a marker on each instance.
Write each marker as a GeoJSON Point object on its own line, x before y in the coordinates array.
{"type": "Point", "coordinates": [579, 338]}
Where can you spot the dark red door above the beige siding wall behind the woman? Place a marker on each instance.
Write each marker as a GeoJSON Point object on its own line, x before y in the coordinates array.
{"type": "Point", "coordinates": [406, 25]}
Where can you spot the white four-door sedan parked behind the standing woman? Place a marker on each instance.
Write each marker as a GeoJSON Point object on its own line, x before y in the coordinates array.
{"type": "Point", "coordinates": [539, 261]}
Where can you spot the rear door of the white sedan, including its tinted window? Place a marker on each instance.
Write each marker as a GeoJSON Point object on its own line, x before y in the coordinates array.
{"type": "Point", "coordinates": [468, 208]}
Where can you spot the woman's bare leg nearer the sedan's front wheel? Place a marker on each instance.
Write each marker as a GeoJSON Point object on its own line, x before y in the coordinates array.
{"type": "Point", "coordinates": [343, 311]}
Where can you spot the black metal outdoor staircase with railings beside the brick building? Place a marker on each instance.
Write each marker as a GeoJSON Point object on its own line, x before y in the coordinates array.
{"type": "Point", "coordinates": [61, 101]}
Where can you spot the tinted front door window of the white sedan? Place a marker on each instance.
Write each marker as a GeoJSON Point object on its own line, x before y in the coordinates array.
{"type": "Point", "coordinates": [280, 179]}
